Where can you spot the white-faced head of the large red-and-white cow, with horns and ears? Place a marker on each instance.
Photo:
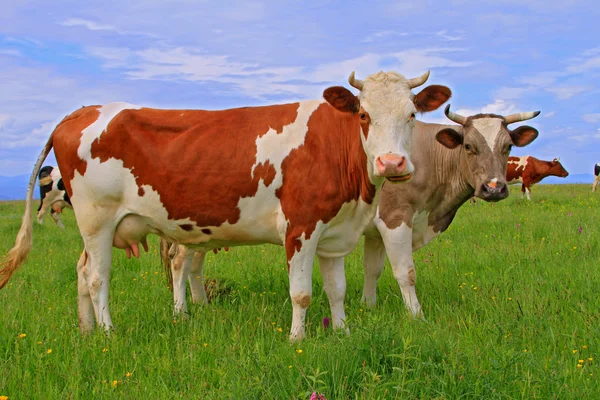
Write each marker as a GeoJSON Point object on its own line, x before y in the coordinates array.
{"type": "Point", "coordinates": [387, 108]}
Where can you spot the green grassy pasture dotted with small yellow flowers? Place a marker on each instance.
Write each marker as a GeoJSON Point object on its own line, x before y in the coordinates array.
{"type": "Point", "coordinates": [510, 294]}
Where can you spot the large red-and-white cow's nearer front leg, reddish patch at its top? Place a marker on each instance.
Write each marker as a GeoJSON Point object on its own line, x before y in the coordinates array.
{"type": "Point", "coordinates": [301, 254]}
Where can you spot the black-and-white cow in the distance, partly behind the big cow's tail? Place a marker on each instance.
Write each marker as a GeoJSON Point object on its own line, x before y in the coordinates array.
{"type": "Point", "coordinates": [53, 195]}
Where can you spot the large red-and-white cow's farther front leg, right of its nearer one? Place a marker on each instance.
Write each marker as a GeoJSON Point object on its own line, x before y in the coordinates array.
{"type": "Point", "coordinates": [334, 283]}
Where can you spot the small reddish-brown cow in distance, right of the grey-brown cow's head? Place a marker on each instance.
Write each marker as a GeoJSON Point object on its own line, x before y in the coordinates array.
{"type": "Point", "coordinates": [528, 171]}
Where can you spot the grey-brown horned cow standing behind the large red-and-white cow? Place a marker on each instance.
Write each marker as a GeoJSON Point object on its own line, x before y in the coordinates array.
{"type": "Point", "coordinates": [471, 160]}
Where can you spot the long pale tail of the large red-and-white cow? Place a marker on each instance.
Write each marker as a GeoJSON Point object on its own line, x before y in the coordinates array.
{"type": "Point", "coordinates": [19, 252]}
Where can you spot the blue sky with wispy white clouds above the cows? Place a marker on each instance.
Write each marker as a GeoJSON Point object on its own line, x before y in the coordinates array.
{"type": "Point", "coordinates": [499, 56]}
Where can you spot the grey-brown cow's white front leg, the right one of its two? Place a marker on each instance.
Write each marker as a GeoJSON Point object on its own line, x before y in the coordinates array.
{"type": "Point", "coordinates": [398, 245]}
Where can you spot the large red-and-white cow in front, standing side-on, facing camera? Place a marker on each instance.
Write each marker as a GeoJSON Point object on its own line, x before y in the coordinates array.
{"type": "Point", "coordinates": [305, 175]}
